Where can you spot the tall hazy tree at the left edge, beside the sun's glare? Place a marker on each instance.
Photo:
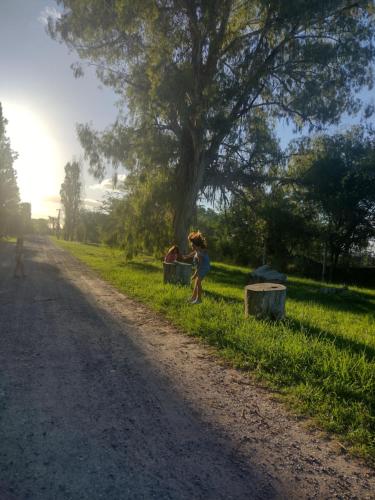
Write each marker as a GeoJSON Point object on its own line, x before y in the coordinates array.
{"type": "Point", "coordinates": [9, 194]}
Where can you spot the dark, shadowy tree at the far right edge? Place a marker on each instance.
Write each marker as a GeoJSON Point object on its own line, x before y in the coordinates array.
{"type": "Point", "coordinates": [337, 176]}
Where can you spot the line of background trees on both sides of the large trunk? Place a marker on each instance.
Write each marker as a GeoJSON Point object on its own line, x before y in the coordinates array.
{"type": "Point", "coordinates": [317, 215]}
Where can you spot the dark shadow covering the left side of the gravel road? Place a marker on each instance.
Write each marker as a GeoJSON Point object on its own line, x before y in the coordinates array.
{"type": "Point", "coordinates": [87, 412]}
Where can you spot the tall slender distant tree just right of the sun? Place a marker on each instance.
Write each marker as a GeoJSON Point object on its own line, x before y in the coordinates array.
{"type": "Point", "coordinates": [70, 194]}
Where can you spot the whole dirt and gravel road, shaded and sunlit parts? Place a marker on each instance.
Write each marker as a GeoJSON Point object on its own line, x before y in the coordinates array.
{"type": "Point", "coordinates": [102, 399]}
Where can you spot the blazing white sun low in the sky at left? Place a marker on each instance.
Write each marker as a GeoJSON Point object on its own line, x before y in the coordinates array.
{"type": "Point", "coordinates": [38, 164]}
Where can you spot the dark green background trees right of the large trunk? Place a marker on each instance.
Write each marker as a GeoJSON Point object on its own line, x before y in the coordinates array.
{"type": "Point", "coordinates": [328, 203]}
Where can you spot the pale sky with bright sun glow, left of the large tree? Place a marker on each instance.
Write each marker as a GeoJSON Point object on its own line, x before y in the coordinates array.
{"type": "Point", "coordinates": [43, 102]}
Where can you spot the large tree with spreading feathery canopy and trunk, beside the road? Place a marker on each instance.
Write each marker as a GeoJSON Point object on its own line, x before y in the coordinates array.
{"type": "Point", "coordinates": [204, 80]}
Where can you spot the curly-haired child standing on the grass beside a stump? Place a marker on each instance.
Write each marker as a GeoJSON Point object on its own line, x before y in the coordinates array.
{"type": "Point", "coordinates": [202, 262]}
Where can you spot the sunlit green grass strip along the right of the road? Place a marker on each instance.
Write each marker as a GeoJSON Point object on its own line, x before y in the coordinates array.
{"type": "Point", "coordinates": [321, 357]}
